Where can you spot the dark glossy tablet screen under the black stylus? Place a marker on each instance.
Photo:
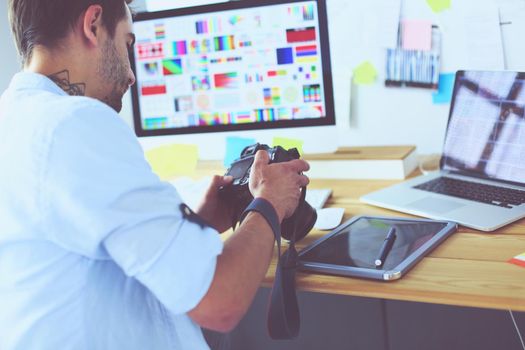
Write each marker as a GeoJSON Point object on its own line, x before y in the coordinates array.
{"type": "Point", "coordinates": [358, 244]}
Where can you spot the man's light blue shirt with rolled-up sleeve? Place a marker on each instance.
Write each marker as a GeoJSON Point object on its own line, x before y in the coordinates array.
{"type": "Point", "coordinates": [94, 251]}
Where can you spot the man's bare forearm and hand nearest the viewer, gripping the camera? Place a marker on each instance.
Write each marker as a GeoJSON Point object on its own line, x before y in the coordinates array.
{"type": "Point", "coordinates": [248, 252]}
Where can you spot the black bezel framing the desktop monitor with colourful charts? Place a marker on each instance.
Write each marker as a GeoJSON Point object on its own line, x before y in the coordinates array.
{"type": "Point", "coordinates": [327, 120]}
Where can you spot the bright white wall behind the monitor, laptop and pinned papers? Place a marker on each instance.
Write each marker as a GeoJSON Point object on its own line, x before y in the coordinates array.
{"type": "Point", "coordinates": [378, 115]}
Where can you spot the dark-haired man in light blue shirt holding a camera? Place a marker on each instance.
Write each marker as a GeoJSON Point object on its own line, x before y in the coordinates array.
{"type": "Point", "coordinates": [95, 251]}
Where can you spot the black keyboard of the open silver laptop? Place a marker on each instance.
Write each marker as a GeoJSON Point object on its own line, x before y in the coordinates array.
{"type": "Point", "coordinates": [500, 196]}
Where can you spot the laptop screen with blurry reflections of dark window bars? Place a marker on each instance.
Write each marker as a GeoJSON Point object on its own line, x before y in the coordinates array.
{"type": "Point", "coordinates": [486, 128]}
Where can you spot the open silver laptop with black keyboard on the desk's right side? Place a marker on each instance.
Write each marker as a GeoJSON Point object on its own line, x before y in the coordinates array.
{"type": "Point", "coordinates": [481, 182]}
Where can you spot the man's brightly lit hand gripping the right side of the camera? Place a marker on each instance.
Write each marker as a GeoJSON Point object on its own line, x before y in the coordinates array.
{"type": "Point", "coordinates": [278, 183]}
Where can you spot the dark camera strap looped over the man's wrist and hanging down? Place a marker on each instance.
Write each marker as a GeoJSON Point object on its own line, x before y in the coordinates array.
{"type": "Point", "coordinates": [283, 312]}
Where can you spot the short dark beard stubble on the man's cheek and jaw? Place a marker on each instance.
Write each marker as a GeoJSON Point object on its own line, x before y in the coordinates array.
{"type": "Point", "coordinates": [113, 72]}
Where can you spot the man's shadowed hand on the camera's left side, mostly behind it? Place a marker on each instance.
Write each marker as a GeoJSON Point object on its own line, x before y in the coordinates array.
{"type": "Point", "coordinates": [216, 212]}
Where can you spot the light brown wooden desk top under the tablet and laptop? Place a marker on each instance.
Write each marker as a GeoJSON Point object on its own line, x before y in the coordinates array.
{"type": "Point", "coordinates": [468, 269]}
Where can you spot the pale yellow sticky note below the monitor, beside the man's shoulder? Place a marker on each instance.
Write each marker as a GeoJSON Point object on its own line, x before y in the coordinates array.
{"type": "Point", "coordinates": [172, 160]}
